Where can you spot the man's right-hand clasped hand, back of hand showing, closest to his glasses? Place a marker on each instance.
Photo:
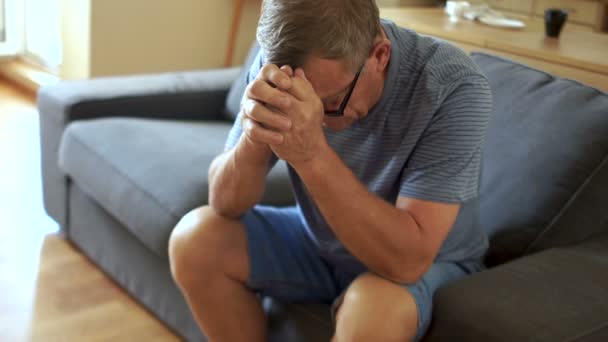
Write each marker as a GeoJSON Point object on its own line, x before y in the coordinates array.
{"type": "Point", "coordinates": [305, 139]}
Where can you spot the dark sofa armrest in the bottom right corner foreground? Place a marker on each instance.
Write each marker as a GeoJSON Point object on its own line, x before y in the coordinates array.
{"type": "Point", "coordinates": [559, 294]}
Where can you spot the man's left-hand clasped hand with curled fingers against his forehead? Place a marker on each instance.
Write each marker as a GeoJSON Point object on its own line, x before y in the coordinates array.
{"type": "Point", "coordinates": [264, 105]}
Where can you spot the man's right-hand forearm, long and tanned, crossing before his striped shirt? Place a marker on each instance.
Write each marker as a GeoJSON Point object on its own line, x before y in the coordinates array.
{"type": "Point", "coordinates": [386, 239]}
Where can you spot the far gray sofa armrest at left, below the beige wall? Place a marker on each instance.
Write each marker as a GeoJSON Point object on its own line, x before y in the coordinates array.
{"type": "Point", "coordinates": [198, 95]}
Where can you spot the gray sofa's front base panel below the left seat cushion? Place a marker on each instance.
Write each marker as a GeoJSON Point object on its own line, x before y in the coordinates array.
{"type": "Point", "coordinates": [130, 263]}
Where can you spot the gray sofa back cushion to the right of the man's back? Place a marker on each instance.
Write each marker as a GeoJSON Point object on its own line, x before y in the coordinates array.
{"type": "Point", "coordinates": [546, 137]}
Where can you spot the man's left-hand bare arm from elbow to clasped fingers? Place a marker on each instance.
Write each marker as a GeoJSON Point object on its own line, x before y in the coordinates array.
{"type": "Point", "coordinates": [237, 177]}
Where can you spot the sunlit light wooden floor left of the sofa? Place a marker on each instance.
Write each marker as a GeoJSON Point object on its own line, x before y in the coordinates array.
{"type": "Point", "coordinates": [48, 290]}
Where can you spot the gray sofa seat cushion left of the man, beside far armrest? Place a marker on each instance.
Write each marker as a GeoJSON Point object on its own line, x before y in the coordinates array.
{"type": "Point", "coordinates": [148, 173]}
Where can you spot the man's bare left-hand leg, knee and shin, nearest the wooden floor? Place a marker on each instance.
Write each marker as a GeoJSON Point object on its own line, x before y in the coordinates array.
{"type": "Point", "coordinates": [209, 261]}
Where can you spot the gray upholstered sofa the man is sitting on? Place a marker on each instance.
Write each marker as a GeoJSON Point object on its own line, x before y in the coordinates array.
{"type": "Point", "coordinates": [124, 158]}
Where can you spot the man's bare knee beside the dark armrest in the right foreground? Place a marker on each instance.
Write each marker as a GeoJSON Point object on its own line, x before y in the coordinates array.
{"type": "Point", "coordinates": [375, 309]}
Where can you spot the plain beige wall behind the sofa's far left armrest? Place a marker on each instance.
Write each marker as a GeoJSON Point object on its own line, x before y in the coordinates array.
{"type": "Point", "coordinates": [117, 37]}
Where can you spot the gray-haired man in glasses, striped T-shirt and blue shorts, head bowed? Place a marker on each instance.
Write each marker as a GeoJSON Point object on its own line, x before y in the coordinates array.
{"type": "Point", "coordinates": [383, 133]}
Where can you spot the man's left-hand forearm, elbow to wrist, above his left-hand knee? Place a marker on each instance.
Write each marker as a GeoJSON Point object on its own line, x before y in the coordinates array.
{"type": "Point", "coordinates": [237, 178]}
